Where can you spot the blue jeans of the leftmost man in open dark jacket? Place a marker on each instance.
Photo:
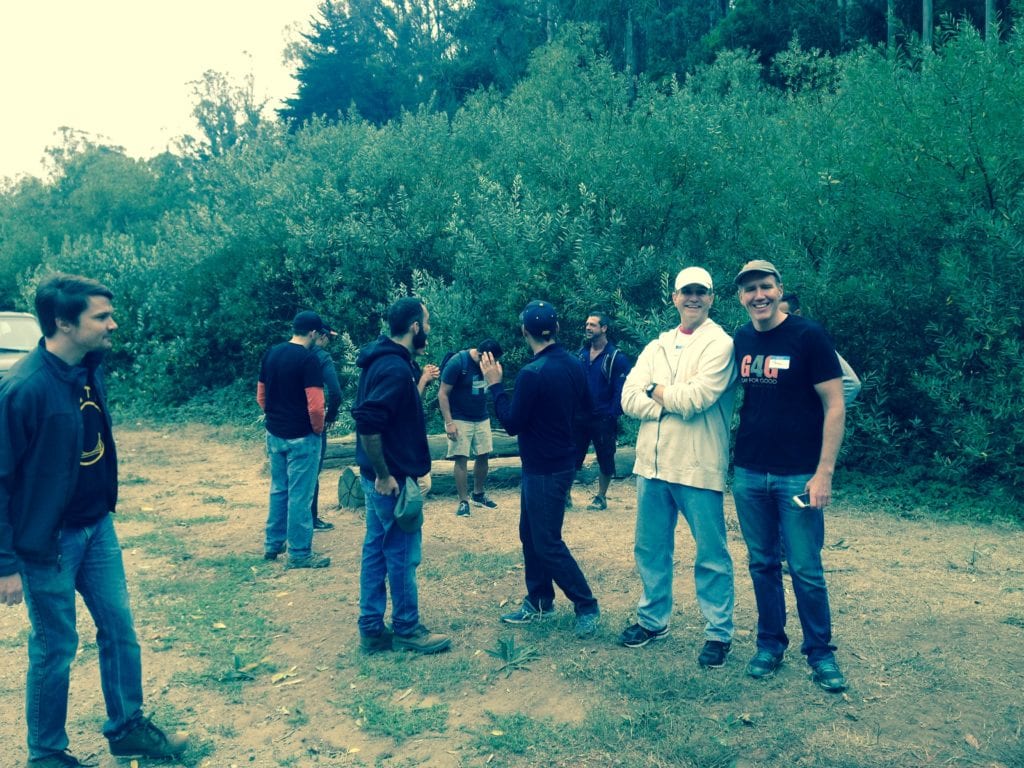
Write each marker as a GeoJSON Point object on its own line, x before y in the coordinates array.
{"type": "Point", "coordinates": [91, 563]}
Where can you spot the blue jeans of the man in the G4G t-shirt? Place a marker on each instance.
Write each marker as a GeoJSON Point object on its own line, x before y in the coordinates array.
{"type": "Point", "coordinates": [770, 519]}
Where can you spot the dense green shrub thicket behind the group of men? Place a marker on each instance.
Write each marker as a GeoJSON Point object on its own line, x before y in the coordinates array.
{"type": "Point", "coordinates": [888, 191]}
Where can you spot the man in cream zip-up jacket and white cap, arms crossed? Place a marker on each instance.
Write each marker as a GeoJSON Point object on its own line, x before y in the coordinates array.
{"type": "Point", "coordinates": [682, 391]}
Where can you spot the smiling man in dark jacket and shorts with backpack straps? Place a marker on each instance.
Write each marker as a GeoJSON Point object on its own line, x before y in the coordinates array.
{"type": "Point", "coordinates": [607, 368]}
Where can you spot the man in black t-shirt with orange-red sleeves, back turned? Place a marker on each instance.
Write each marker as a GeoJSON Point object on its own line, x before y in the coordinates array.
{"type": "Point", "coordinates": [291, 394]}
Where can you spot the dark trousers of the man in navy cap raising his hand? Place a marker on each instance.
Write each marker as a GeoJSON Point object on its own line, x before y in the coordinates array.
{"type": "Point", "coordinates": [547, 560]}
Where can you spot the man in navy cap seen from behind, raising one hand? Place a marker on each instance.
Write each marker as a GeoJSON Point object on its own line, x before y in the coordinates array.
{"type": "Point", "coordinates": [550, 394]}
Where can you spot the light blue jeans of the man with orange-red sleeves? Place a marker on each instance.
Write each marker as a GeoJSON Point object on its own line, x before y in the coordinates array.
{"type": "Point", "coordinates": [293, 477]}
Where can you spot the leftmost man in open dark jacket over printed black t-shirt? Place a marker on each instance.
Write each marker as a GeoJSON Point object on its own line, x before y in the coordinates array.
{"type": "Point", "coordinates": [59, 487]}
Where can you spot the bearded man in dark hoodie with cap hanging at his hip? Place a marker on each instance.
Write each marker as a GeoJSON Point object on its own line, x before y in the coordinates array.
{"type": "Point", "coordinates": [393, 447]}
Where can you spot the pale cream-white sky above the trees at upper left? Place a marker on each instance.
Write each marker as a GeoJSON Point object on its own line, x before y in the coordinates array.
{"type": "Point", "coordinates": [120, 69]}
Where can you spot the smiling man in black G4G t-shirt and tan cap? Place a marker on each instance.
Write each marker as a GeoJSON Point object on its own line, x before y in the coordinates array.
{"type": "Point", "coordinates": [791, 430]}
